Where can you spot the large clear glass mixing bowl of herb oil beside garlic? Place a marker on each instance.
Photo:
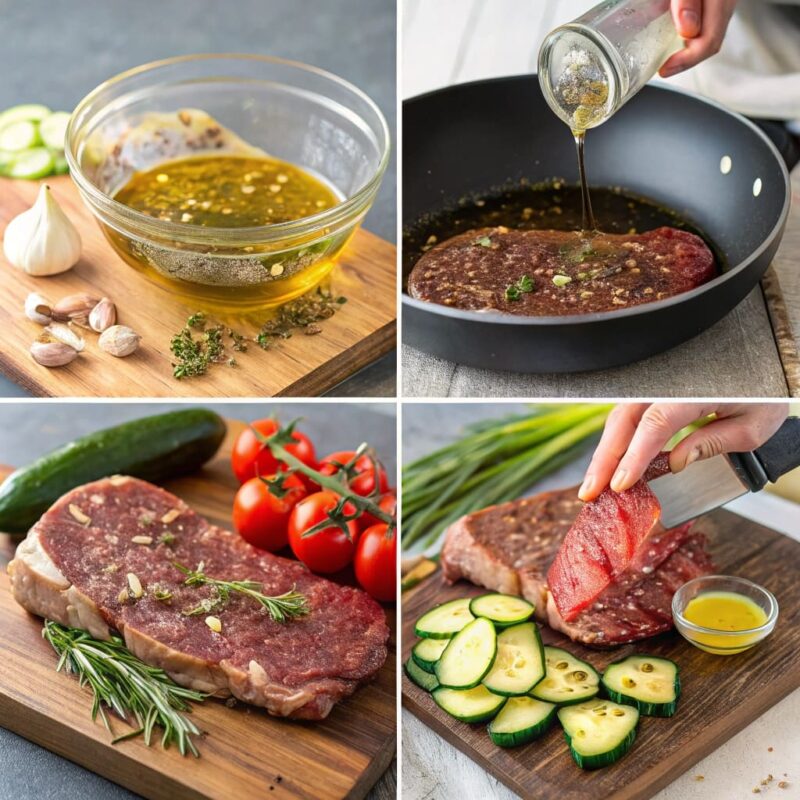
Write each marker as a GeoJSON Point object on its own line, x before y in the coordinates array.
{"type": "Point", "coordinates": [289, 110]}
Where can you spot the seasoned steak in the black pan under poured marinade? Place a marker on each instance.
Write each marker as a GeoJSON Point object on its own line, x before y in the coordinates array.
{"type": "Point", "coordinates": [606, 272]}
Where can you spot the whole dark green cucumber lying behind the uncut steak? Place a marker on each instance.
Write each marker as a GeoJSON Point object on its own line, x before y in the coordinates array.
{"type": "Point", "coordinates": [153, 448]}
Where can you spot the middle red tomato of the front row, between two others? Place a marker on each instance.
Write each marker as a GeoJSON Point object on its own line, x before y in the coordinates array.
{"type": "Point", "coordinates": [330, 549]}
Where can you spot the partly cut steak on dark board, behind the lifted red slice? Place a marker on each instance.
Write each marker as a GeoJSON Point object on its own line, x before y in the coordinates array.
{"type": "Point", "coordinates": [508, 548]}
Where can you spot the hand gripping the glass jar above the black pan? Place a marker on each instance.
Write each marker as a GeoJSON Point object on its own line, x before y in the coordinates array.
{"type": "Point", "coordinates": [703, 24]}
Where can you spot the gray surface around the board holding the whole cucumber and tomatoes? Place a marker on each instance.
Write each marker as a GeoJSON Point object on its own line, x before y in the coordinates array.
{"type": "Point", "coordinates": [29, 772]}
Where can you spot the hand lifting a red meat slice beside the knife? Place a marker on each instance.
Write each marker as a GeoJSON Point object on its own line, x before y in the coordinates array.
{"type": "Point", "coordinates": [636, 432]}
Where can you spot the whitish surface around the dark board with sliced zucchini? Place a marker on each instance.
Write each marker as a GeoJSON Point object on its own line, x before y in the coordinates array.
{"type": "Point", "coordinates": [432, 769]}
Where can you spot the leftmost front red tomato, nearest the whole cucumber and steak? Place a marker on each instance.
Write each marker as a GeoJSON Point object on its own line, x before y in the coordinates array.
{"type": "Point", "coordinates": [260, 517]}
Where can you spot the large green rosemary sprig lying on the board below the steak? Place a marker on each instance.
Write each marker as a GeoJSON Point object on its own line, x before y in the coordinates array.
{"type": "Point", "coordinates": [140, 694]}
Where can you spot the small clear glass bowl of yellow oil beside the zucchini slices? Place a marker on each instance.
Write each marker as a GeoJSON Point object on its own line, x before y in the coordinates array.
{"type": "Point", "coordinates": [717, 641]}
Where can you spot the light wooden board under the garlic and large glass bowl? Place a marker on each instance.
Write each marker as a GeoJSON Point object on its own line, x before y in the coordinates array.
{"type": "Point", "coordinates": [361, 331]}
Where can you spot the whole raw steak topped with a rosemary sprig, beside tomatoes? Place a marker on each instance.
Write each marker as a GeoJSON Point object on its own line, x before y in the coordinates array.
{"type": "Point", "coordinates": [73, 570]}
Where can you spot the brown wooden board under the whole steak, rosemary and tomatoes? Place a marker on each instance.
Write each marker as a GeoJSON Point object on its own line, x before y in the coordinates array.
{"type": "Point", "coordinates": [245, 752]}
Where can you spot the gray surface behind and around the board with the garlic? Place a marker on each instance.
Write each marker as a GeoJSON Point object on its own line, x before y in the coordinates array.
{"type": "Point", "coordinates": [55, 53]}
